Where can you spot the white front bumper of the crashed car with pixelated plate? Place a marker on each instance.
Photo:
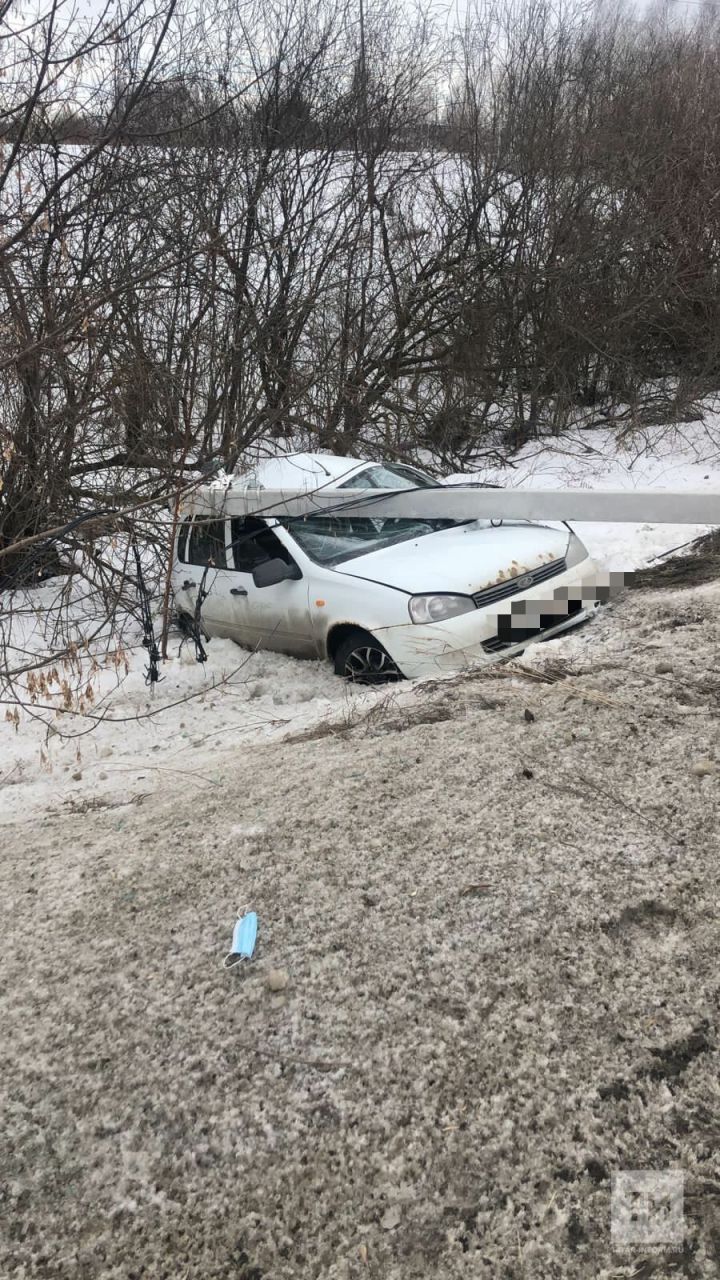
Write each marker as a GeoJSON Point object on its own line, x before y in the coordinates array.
{"type": "Point", "coordinates": [484, 637]}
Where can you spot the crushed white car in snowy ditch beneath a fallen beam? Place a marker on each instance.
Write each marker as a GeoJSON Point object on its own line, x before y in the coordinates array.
{"type": "Point", "coordinates": [382, 598]}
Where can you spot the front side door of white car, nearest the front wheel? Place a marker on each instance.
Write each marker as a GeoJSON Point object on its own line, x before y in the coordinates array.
{"type": "Point", "coordinates": [270, 618]}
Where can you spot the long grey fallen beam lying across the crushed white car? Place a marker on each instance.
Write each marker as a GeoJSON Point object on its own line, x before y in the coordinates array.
{"type": "Point", "coordinates": [470, 502]}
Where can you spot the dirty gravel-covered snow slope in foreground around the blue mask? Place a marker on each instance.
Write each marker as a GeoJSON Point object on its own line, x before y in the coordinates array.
{"type": "Point", "coordinates": [502, 940]}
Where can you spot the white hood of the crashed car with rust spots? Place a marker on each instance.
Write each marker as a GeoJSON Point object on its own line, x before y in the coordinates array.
{"type": "Point", "coordinates": [463, 560]}
